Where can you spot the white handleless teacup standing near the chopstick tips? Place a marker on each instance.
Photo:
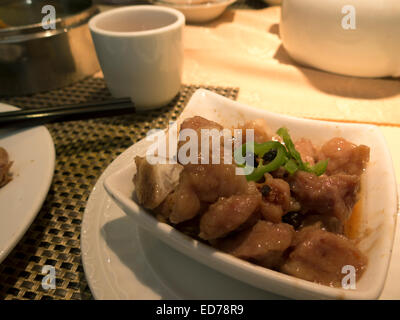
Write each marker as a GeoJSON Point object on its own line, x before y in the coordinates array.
{"type": "Point", "coordinates": [140, 51]}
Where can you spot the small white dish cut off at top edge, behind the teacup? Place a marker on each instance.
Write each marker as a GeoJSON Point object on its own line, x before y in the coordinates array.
{"type": "Point", "coordinates": [199, 13]}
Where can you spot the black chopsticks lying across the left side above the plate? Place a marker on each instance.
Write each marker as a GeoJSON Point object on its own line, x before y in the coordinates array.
{"type": "Point", "coordinates": [40, 116]}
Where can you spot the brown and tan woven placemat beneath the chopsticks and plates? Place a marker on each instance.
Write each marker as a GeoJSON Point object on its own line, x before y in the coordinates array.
{"type": "Point", "coordinates": [83, 150]}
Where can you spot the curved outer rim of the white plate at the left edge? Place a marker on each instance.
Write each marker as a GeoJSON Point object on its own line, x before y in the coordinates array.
{"type": "Point", "coordinates": [35, 207]}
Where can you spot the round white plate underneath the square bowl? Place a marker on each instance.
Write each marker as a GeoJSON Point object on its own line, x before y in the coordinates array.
{"type": "Point", "coordinates": [122, 261]}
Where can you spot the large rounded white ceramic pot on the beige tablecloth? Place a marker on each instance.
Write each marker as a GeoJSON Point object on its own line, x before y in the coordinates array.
{"type": "Point", "coordinates": [351, 37]}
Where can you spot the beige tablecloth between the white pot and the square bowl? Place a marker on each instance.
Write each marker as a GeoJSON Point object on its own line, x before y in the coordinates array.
{"type": "Point", "coordinates": [243, 49]}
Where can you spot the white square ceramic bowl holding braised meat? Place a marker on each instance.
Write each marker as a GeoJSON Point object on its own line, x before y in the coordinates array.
{"type": "Point", "coordinates": [378, 196]}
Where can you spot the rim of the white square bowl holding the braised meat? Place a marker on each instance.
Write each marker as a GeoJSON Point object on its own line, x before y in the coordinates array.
{"type": "Point", "coordinates": [239, 269]}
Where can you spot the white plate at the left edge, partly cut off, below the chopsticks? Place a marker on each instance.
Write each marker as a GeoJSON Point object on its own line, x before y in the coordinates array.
{"type": "Point", "coordinates": [33, 156]}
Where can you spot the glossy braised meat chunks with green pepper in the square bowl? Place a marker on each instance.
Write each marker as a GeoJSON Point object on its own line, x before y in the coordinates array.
{"type": "Point", "coordinates": [289, 216]}
